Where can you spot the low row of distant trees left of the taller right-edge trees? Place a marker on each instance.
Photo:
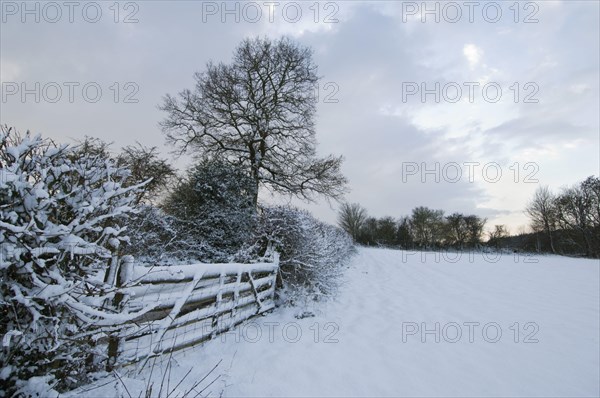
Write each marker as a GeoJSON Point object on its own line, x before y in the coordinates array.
{"type": "Point", "coordinates": [425, 228]}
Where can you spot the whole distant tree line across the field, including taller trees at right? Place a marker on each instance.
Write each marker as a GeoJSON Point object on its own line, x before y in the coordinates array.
{"type": "Point", "coordinates": [567, 223]}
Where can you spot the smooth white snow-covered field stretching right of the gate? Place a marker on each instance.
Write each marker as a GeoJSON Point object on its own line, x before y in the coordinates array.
{"type": "Point", "coordinates": [378, 338]}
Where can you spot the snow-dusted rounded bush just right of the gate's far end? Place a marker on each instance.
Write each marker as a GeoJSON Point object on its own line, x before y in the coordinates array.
{"type": "Point", "coordinates": [312, 253]}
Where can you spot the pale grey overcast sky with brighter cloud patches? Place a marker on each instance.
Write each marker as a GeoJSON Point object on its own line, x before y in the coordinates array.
{"type": "Point", "coordinates": [375, 59]}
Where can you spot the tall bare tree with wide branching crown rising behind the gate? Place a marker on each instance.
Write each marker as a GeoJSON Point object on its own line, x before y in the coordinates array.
{"type": "Point", "coordinates": [258, 112]}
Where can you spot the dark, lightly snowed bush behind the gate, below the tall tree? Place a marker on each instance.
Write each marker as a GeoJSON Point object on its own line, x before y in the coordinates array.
{"type": "Point", "coordinates": [206, 217]}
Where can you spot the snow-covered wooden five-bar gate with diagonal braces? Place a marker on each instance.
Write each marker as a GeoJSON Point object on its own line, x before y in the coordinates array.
{"type": "Point", "coordinates": [185, 305]}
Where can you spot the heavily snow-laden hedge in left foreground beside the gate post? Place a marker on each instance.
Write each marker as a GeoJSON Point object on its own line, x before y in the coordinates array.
{"type": "Point", "coordinates": [57, 229]}
